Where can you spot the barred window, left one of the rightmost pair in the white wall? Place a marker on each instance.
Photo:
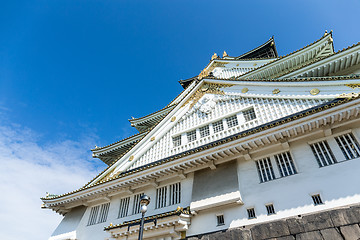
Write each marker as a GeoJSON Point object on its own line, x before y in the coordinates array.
{"type": "Point", "coordinates": [323, 153]}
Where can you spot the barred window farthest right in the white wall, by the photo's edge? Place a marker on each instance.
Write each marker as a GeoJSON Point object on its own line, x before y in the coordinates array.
{"type": "Point", "coordinates": [348, 145]}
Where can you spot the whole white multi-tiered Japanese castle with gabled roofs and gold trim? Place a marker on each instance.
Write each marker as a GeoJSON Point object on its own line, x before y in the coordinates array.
{"type": "Point", "coordinates": [252, 139]}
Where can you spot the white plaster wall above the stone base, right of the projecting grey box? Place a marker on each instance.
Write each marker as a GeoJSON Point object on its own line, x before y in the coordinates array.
{"type": "Point", "coordinates": [338, 185]}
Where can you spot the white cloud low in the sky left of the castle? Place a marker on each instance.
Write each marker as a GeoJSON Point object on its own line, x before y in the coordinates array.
{"type": "Point", "coordinates": [27, 170]}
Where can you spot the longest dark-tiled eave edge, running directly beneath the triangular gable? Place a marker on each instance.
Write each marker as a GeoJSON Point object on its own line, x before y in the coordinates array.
{"type": "Point", "coordinates": [277, 124]}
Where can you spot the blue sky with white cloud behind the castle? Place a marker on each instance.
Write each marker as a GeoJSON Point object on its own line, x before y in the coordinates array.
{"type": "Point", "coordinates": [73, 72]}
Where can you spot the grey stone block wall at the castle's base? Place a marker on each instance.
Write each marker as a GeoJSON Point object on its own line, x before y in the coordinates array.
{"type": "Point", "coordinates": [338, 224]}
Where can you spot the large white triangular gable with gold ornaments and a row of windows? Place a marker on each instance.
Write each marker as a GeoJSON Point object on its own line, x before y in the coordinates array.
{"type": "Point", "coordinates": [270, 99]}
